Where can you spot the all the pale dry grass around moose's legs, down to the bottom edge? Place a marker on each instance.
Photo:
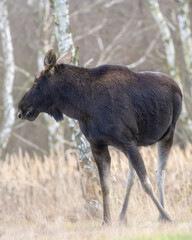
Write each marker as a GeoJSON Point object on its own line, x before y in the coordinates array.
{"type": "Point", "coordinates": [54, 199]}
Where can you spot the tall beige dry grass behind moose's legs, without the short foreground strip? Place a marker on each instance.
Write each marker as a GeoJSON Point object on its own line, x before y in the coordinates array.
{"type": "Point", "coordinates": [32, 190]}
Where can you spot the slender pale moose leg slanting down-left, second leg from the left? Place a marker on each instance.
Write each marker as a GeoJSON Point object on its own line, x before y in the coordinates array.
{"type": "Point", "coordinates": [131, 173]}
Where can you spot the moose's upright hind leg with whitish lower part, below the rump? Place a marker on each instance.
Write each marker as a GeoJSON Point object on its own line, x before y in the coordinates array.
{"type": "Point", "coordinates": [164, 147]}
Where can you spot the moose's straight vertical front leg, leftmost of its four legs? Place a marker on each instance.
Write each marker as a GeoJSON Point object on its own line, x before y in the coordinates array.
{"type": "Point", "coordinates": [103, 161]}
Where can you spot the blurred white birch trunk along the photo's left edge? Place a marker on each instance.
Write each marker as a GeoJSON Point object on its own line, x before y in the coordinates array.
{"type": "Point", "coordinates": [8, 79]}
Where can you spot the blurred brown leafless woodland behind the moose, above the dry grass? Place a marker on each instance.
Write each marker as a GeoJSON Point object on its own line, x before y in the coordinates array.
{"type": "Point", "coordinates": [124, 32]}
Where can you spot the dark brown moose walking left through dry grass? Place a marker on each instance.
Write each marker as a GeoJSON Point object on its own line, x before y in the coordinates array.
{"type": "Point", "coordinates": [114, 106]}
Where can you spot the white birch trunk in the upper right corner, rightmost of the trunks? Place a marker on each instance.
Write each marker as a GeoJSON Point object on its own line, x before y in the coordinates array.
{"type": "Point", "coordinates": [185, 34]}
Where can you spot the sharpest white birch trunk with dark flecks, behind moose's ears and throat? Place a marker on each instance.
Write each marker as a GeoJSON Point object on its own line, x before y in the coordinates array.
{"type": "Point", "coordinates": [65, 42]}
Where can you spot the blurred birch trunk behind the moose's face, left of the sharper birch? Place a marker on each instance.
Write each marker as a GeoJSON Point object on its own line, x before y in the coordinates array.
{"type": "Point", "coordinates": [46, 40]}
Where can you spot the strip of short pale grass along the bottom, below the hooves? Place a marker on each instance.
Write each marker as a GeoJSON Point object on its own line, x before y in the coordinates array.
{"type": "Point", "coordinates": [88, 231]}
